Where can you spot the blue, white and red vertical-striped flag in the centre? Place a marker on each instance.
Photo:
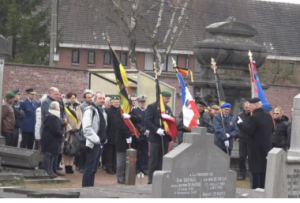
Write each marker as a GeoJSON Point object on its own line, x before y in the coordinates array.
{"type": "Point", "coordinates": [189, 108]}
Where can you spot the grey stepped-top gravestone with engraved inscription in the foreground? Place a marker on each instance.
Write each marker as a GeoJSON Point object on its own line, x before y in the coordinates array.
{"type": "Point", "coordinates": [197, 168]}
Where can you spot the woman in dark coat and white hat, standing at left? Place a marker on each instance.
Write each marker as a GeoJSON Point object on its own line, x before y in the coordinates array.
{"type": "Point", "coordinates": [52, 134]}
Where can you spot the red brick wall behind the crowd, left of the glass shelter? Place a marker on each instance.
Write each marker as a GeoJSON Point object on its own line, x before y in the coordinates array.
{"type": "Point", "coordinates": [43, 77]}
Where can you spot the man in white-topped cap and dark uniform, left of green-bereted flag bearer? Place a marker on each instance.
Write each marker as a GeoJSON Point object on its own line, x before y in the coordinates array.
{"type": "Point", "coordinates": [142, 151]}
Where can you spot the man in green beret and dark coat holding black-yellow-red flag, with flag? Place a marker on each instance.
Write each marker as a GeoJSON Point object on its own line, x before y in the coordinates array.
{"type": "Point", "coordinates": [162, 126]}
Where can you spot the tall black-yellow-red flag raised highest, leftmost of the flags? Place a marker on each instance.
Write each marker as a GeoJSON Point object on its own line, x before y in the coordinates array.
{"type": "Point", "coordinates": [123, 90]}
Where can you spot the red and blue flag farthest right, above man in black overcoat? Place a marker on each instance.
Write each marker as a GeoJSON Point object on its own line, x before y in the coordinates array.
{"type": "Point", "coordinates": [256, 88]}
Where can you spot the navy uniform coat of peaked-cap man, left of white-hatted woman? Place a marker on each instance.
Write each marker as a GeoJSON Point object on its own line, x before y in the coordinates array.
{"type": "Point", "coordinates": [29, 108]}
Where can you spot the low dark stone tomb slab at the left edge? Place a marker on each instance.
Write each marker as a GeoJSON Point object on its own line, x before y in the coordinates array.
{"type": "Point", "coordinates": [18, 157]}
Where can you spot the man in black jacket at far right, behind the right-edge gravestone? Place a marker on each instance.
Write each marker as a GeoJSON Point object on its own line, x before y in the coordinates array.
{"type": "Point", "coordinates": [279, 138]}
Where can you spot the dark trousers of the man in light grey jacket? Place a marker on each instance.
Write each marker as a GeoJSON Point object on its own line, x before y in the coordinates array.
{"type": "Point", "coordinates": [91, 165]}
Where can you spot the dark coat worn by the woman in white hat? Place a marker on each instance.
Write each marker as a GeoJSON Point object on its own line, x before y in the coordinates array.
{"type": "Point", "coordinates": [52, 134]}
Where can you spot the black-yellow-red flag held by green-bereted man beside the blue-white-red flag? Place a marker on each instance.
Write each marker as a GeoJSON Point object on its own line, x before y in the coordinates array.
{"type": "Point", "coordinates": [168, 122]}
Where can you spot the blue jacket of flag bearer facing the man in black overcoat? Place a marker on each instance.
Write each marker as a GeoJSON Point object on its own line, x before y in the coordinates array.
{"type": "Point", "coordinates": [230, 128]}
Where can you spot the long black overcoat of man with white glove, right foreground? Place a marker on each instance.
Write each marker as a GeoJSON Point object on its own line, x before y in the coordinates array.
{"type": "Point", "coordinates": [259, 129]}
